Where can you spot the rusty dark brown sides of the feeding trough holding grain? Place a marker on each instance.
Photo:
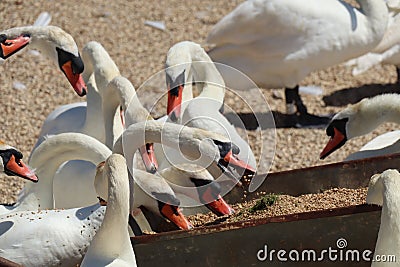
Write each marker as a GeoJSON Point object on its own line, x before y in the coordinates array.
{"type": "Point", "coordinates": [343, 232]}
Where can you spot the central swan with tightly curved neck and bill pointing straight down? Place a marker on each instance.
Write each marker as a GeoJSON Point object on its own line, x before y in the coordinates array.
{"type": "Point", "coordinates": [203, 111]}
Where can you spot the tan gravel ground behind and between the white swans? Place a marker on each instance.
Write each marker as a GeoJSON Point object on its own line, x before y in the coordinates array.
{"type": "Point", "coordinates": [140, 51]}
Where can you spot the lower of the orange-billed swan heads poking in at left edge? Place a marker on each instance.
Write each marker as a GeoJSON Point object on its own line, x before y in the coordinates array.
{"type": "Point", "coordinates": [12, 165]}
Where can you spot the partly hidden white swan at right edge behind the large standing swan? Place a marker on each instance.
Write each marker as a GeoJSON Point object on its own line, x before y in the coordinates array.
{"type": "Point", "coordinates": [387, 51]}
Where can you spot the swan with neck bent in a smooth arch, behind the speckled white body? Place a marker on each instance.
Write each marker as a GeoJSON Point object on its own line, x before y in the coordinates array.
{"type": "Point", "coordinates": [47, 158]}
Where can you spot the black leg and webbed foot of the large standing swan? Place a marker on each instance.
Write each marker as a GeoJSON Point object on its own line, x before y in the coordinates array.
{"type": "Point", "coordinates": [296, 107]}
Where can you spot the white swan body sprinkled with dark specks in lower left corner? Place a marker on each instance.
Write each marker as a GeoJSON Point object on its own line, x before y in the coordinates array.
{"type": "Point", "coordinates": [49, 237]}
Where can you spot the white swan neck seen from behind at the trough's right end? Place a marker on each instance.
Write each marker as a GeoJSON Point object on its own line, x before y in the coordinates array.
{"type": "Point", "coordinates": [383, 190]}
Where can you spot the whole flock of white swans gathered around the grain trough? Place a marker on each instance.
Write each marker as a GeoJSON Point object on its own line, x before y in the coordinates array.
{"type": "Point", "coordinates": [88, 151]}
